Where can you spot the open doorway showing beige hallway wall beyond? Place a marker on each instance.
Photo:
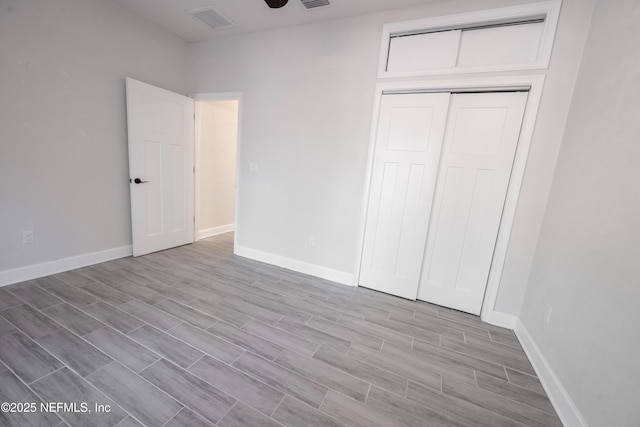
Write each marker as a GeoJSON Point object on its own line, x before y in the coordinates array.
{"type": "Point", "coordinates": [216, 153]}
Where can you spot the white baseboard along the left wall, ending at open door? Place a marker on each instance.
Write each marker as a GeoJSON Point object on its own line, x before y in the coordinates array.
{"type": "Point", "coordinates": [29, 272]}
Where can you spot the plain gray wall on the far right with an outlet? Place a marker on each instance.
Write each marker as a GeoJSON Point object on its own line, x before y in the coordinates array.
{"type": "Point", "coordinates": [587, 263]}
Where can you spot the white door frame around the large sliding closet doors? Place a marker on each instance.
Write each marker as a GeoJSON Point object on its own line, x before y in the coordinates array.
{"type": "Point", "coordinates": [534, 84]}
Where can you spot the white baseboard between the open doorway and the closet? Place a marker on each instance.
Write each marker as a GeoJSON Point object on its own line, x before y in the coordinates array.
{"type": "Point", "coordinates": [296, 265]}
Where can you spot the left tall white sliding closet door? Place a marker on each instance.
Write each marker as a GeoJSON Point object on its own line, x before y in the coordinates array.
{"type": "Point", "coordinates": [408, 145]}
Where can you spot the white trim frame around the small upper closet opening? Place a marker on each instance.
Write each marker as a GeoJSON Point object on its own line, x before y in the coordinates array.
{"type": "Point", "coordinates": [549, 10]}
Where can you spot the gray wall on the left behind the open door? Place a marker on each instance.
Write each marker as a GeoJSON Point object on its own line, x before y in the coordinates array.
{"type": "Point", "coordinates": [63, 140]}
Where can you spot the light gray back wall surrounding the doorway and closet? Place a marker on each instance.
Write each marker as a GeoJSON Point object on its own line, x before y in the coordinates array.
{"type": "Point", "coordinates": [308, 100]}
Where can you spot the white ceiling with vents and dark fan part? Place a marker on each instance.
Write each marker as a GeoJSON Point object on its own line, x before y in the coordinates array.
{"type": "Point", "coordinates": [251, 15]}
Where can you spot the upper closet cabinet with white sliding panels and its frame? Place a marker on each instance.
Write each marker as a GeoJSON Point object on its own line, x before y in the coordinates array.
{"type": "Point", "coordinates": [514, 38]}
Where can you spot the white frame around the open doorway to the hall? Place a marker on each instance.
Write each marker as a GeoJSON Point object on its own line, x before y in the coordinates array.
{"type": "Point", "coordinates": [217, 96]}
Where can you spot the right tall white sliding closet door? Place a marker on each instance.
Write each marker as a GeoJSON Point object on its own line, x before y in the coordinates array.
{"type": "Point", "coordinates": [480, 143]}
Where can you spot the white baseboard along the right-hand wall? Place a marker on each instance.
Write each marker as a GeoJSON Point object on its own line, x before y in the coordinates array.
{"type": "Point", "coordinates": [562, 402]}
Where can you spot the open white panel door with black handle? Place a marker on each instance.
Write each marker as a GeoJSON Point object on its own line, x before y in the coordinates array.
{"type": "Point", "coordinates": [161, 144]}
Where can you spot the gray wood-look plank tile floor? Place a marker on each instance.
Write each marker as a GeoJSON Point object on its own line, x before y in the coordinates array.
{"type": "Point", "coordinates": [195, 336]}
